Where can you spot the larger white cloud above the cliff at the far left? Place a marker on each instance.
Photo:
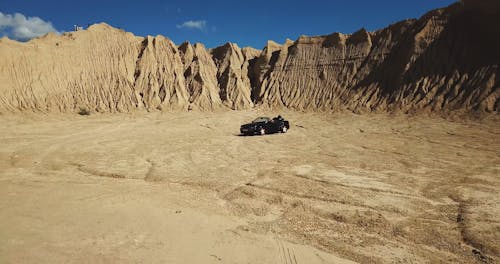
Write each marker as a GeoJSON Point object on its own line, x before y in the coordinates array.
{"type": "Point", "coordinates": [20, 27]}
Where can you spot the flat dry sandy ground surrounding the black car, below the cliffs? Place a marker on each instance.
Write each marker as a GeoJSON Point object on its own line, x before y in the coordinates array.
{"type": "Point", "coordinates": [185, 188]}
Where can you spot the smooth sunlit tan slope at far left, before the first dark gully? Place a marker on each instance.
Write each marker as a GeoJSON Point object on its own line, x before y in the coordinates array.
{"type": "Point", "coordinates": [63, 73]}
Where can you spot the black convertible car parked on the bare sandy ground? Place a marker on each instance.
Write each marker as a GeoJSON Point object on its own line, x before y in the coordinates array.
{"type": "Point", "coordinates": [265, 125]}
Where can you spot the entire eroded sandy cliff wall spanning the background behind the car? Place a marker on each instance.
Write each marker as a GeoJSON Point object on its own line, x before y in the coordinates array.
{"type": "Point", "coordinates": [448, 60]}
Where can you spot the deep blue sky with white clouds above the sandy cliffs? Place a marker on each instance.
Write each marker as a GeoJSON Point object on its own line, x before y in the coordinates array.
{"type": "Point", "coordinates": [248, 23]}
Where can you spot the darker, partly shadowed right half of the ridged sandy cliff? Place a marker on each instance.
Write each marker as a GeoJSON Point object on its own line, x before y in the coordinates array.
{"type": "Point", "coordinates": [446, 60]}
